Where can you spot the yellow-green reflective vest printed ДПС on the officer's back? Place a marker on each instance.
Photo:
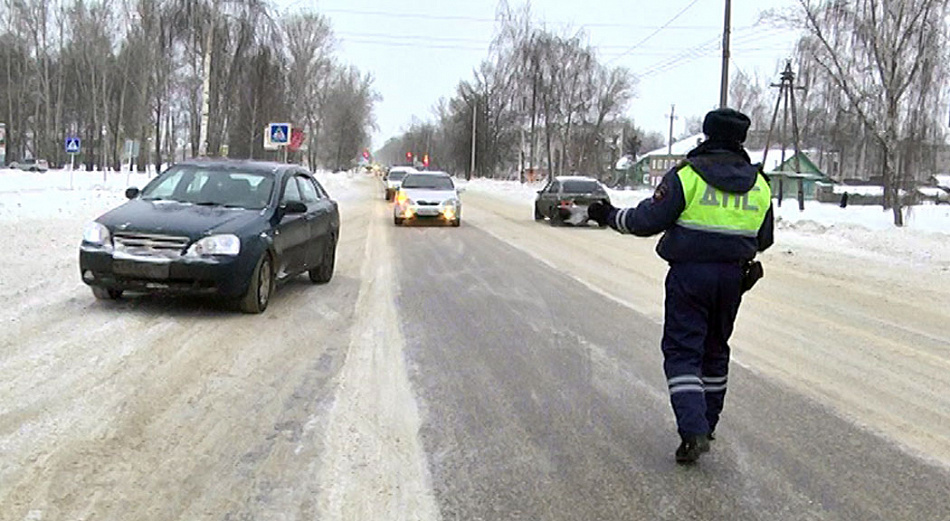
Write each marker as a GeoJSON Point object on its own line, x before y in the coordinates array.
{"type": "Point", "coordinates": [713, 210]}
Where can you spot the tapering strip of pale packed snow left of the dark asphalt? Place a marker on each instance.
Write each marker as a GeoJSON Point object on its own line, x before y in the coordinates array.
{"type": "Point", "coordinates": [375, 466]}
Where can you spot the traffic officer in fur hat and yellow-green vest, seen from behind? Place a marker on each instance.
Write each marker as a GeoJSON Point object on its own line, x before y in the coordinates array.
{"type": "Point", "coordinates": [716, 211]}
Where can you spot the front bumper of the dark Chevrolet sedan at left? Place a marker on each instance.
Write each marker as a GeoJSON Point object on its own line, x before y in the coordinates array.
{"type": "Point", "coordinates": [224, 276]}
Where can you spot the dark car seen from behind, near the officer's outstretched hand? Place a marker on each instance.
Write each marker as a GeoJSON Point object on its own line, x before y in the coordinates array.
{"type": "Point", "coordinates": [566, 196]}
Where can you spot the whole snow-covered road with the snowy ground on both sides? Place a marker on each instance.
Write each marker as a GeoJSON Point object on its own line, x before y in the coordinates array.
{"type": "Point", "coordinates": [499, 370]}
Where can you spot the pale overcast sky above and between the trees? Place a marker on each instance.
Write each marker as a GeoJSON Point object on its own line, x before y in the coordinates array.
{"type": "Point", "coordinates": [418, 50]}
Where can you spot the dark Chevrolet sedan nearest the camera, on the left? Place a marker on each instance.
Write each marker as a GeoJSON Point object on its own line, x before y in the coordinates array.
{"type": "Point", "coordinates": [219, 227]}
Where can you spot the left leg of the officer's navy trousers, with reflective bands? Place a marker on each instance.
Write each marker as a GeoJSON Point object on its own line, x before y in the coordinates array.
{"type": "Point", "coordinates": [684, 332]}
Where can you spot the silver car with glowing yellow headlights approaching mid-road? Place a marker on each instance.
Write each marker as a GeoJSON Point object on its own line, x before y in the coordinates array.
{"type": "Point", "coordinates": [428, 195]}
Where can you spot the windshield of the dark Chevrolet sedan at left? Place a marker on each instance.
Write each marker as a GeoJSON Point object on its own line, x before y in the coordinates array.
{"type": "Point", "coordinates": [211, 187]}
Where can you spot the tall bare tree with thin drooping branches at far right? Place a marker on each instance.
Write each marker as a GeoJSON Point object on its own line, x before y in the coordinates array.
{"type": "Point", "coordinates": [883, 56]}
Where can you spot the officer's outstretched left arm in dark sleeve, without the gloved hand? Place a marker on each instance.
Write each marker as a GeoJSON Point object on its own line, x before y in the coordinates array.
{"type": "Point", "coordinates": [653, 215]}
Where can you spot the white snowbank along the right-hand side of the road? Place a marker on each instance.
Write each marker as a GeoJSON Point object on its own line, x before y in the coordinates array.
{"type": "Point", "coordinates": [861, 231]}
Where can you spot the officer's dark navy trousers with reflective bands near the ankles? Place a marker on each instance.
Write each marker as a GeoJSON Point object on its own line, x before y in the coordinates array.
{"type": "Point", "coordinates": [702, 300]}
